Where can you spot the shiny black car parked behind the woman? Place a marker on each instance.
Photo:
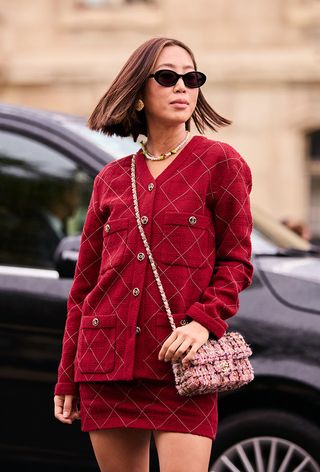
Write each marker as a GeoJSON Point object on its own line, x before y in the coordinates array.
{"type": "Point", "coordinates": [47, 165]}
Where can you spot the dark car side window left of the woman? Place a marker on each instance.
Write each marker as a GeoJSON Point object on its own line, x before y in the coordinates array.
{"type": "Point", "coordinates": [44, 197]}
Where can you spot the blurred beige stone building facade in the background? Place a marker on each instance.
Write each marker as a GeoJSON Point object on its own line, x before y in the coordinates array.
{"type": "Point", "coordinates": [262, 60]}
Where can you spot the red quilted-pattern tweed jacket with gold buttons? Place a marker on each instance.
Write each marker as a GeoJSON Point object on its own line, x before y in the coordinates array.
{"type": "Point", "coordinates": [197, 219]}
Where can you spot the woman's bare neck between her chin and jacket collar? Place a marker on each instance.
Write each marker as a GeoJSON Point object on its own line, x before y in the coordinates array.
{"type": "Point", "coordinates": [161, 140]}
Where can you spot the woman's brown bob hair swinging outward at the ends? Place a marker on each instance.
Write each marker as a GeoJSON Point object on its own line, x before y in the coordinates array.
{"type": "Point", "coordinates": [115, 112]}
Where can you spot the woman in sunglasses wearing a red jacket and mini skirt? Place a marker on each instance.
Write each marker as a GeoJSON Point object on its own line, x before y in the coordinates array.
{"type": "Point", "coordinates": [193, 194]}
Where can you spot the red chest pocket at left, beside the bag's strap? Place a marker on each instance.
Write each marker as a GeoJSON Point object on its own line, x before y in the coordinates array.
{"type": "Point", "coordinates": [115, 234]}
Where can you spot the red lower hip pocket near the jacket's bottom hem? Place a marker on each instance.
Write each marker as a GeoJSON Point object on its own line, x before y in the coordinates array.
{"type": "Point", "coordinates": [96, 346]}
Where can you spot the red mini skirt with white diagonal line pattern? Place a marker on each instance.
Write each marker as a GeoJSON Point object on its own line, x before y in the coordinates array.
{"type": "Point", "coordinates": [146, 404]}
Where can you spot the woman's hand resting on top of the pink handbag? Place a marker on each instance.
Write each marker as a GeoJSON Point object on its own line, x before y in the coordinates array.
{"type": "Point", "coordinates": [184, 342]}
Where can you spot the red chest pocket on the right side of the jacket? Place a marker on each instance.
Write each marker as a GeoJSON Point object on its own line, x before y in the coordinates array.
{"type": "Point", "coordinates": [185, 239]}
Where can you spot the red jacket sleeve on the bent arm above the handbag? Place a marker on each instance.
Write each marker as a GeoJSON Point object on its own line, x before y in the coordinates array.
{"type": "Point", "coordinates": [228, 199]}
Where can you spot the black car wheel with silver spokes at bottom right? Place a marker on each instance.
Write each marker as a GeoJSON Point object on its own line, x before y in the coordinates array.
{"type": "Point", "coordinates": [266, 440]}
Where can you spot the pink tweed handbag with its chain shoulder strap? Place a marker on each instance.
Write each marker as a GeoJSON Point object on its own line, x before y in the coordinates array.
{"type": "Point", "coordinates": [218, 365]}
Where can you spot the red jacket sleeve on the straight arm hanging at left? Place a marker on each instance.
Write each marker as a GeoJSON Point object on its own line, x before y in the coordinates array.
{"type": "Point", "coordinates": [85, 278]}
